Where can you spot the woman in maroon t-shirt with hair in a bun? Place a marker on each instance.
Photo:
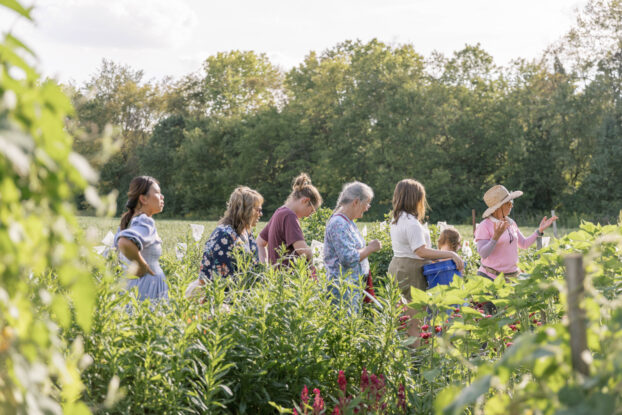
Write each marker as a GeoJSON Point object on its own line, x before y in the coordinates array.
{"type": "Point", "coordinates": [283, 231]}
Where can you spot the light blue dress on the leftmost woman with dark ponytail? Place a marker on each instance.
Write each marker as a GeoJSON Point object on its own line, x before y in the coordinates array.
{"type": "Point", "coordinates": [143, 233]}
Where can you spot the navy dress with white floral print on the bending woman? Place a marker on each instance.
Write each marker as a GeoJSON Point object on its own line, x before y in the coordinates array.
{"type": "Point", "coordinates": [218, 258]}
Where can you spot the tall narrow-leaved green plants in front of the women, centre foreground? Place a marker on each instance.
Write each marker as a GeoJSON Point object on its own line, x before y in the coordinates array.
{"type": "Point", "coordinates": [257, 339]}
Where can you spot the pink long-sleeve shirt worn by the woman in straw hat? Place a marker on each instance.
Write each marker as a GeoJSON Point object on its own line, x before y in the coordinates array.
{"type": "Point", "coordinates": [502, 255]}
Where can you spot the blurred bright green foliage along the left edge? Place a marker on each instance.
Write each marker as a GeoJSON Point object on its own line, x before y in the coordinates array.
{"type": "Point", "coordinates": [46, 282]}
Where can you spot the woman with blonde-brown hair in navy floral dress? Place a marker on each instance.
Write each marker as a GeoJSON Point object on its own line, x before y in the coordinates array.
{"type": "Point", "coordinates": [233, 230]}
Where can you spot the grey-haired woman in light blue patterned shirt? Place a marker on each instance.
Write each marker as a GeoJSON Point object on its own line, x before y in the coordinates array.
{"type": "Point", "coordinates": [345, 251]}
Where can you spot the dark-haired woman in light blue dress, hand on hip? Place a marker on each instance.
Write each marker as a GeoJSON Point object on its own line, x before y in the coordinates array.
{"type": "Point", "coordinates": [137, 238]}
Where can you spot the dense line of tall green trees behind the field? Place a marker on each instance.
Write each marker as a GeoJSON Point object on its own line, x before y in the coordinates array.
{"type": "Point", "coordinates": [377, 113]}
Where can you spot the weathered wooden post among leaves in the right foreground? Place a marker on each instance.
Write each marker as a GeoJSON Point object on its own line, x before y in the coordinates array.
{"type": "Point", "coordinates": [576, 315]}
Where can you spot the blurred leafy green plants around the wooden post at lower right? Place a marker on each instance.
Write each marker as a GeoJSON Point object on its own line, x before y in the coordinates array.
{"type": "Point", "coordinates": [535, 373]}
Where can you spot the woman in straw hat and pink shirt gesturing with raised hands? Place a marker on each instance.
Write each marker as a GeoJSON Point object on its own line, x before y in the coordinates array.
{"type": "Point", "coordinates": [498, 237]}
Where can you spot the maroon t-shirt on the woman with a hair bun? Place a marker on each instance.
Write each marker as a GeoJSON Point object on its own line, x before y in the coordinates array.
{"type": "Point", "coordinates": [282, 229]}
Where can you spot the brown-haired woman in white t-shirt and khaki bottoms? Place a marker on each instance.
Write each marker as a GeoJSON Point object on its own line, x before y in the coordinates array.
{"type": "Point", "coordinates": [411, 242]}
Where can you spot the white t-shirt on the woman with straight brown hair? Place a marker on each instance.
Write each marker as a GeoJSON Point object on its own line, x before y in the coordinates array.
{"type": "Point", "coordinates": [408, 235]}
